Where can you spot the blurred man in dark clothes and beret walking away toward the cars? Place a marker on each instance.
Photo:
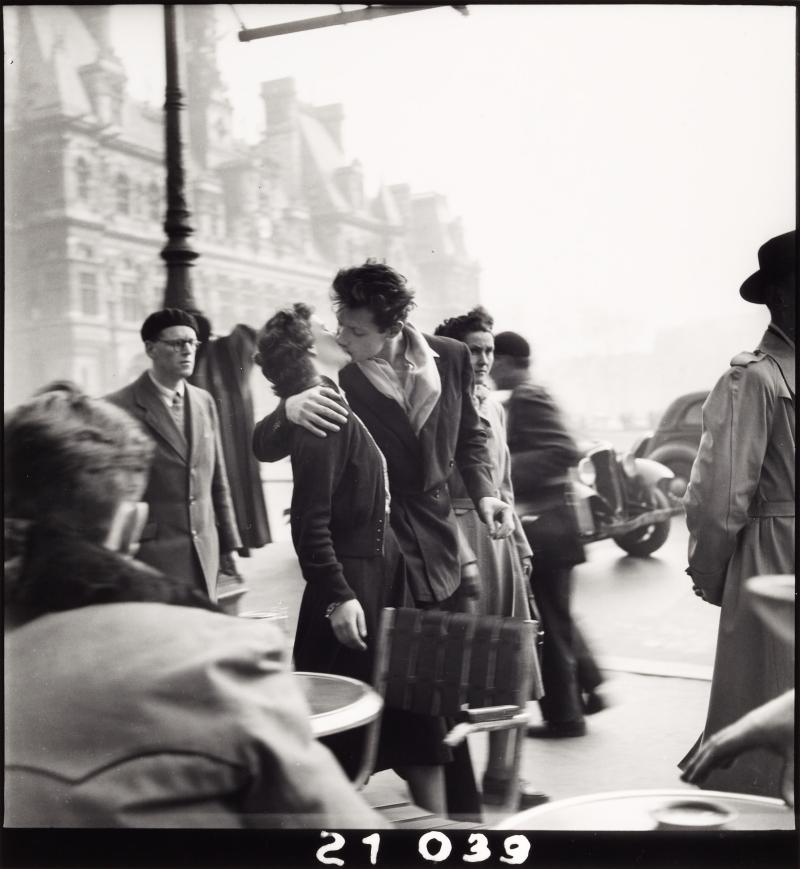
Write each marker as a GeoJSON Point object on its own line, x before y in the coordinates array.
{"type": "Point", "coordinates": [542, 450]}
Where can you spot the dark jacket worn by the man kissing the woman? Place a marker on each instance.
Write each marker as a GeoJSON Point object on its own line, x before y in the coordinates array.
{"type": "Point", "coordinates": [419, 466]}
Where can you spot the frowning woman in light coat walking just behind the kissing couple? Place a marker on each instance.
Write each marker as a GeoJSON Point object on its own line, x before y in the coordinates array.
{"type": "Point", "coordinates": [504, 566]}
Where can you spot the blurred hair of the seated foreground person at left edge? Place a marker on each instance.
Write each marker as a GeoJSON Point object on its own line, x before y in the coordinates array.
{"type": "Point", "coordinates": [69, 460]}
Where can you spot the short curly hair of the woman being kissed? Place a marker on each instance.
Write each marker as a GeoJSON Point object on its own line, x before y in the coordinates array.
{"type": "Point", "coordinates": [283, 347]}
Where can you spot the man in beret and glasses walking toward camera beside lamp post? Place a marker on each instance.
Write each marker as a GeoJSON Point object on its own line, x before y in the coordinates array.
{"type": "Point", "coordinates": [191, 519]}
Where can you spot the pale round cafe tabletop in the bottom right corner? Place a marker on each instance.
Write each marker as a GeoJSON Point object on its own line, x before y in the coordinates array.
{"type": "Point", "coordinates": [634, 810]}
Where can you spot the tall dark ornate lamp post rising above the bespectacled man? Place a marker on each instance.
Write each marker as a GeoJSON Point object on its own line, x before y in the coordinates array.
{"type": "Point", "coordinates": [178, 254]}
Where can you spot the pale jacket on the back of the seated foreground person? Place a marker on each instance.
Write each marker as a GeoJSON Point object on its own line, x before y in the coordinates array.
{"type": "Point", "coordinates": [153, 715]}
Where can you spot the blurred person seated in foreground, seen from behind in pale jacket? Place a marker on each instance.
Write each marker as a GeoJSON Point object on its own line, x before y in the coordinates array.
{"type": "Point", "coordinates": [130, 699]}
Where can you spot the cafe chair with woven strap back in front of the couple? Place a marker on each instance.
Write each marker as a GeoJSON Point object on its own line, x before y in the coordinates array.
{"type": "Point", "coordinates": [478, 670]}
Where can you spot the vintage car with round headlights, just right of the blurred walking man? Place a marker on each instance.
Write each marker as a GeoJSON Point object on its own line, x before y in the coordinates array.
{"type": "Point", "coordinates": [625, 498]}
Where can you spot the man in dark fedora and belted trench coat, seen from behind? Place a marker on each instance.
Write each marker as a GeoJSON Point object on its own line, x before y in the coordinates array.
{"type": "Point", "coordinates": [740, 512]}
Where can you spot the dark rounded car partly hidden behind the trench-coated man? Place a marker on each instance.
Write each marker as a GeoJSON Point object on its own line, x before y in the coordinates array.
{"type": "Point", "coordinates": [675, 441]}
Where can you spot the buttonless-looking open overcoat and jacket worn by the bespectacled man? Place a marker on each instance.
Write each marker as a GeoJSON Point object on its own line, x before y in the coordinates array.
{"type": "Point", "coordinates": [191, 514]}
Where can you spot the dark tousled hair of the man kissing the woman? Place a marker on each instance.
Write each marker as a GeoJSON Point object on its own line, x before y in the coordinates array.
{"type": "Point", "coordinates": [377, 287]}
